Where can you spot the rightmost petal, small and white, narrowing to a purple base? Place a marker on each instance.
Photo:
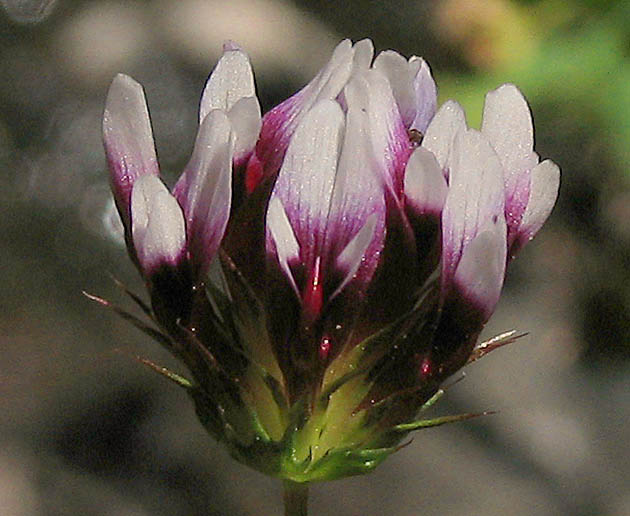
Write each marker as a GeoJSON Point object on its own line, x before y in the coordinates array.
{"type": "Point", "coordinates": [543, 192]}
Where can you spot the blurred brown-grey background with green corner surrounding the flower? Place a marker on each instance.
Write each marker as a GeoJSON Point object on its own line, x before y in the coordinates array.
{"type": "Point", "coordinates": [85, 429]}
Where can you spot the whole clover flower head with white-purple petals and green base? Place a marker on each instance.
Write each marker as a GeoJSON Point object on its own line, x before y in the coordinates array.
{"type": "Point", "coordinates": [323, 269]}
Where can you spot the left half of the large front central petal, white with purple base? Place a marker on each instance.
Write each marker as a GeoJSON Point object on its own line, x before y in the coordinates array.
{"type": "Point", "coordinates": [305, 181]}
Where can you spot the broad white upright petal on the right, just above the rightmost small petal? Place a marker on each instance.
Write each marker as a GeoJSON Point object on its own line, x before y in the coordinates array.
{"type": "Point", "coordinates": [507, 123]}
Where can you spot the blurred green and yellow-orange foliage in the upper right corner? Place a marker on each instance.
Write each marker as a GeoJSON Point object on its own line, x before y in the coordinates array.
{"type": "Point", "coordinates": [574, 55]}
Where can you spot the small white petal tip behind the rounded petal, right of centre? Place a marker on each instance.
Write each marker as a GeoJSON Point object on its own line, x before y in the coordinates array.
{"type": "Point", "coordinates": [447, 122]}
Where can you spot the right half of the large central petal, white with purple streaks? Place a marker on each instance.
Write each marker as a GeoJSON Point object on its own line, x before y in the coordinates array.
{"type": "Point", "coordinates": [375, 151]}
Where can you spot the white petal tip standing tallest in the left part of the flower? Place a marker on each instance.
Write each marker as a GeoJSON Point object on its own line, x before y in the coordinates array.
{"type": "Point", "coordinates": [231, 80]}
